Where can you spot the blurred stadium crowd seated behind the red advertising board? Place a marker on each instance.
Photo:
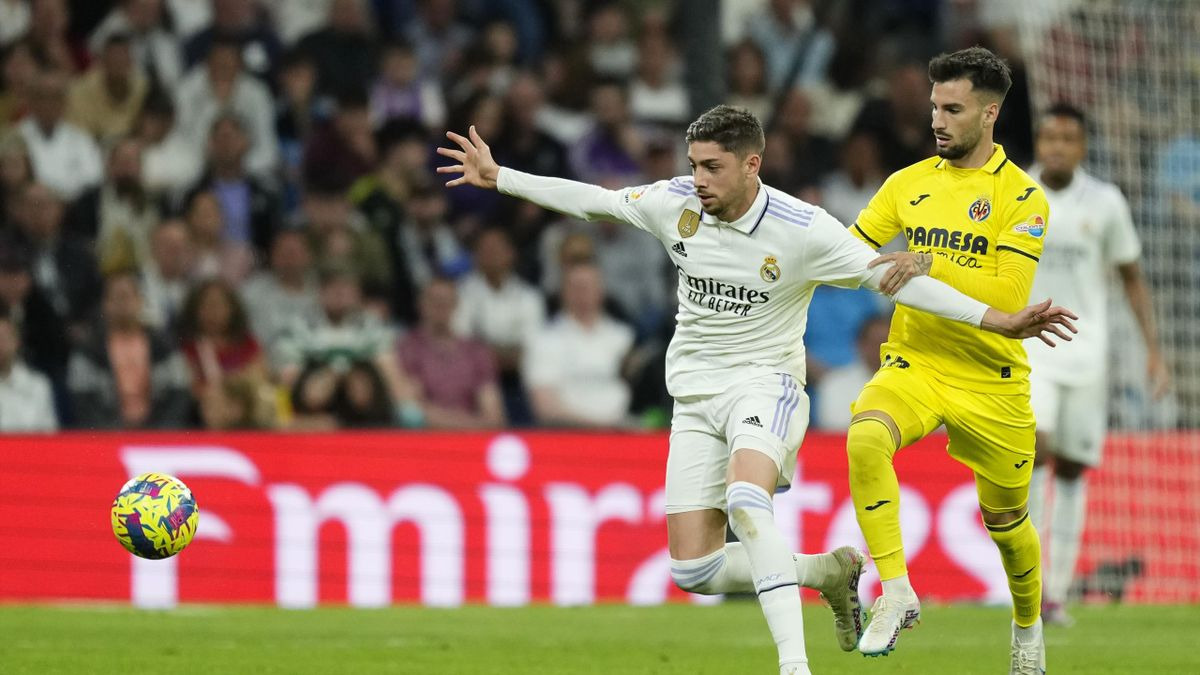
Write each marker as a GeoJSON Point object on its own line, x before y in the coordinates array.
{"type": "Point", "coordinates": [224, 213]}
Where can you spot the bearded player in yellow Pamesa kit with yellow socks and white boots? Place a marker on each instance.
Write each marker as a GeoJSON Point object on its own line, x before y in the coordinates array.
{"type": "Point", "coordinates": [976, 222]}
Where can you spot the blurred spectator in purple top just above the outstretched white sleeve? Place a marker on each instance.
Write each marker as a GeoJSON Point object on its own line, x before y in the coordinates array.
{"type": "Point", "coordinates": [610, 153]}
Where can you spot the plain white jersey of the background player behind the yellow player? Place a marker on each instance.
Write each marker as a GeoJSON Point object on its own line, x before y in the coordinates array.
{"type": "Point", "coordinates": [1091, 231]}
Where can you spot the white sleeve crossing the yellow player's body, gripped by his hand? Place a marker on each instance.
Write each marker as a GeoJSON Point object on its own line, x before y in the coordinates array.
{"type": "Point", "coordinates": [839, 259]}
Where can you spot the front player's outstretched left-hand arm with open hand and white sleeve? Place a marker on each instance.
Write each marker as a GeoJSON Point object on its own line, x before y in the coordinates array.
{"type": "Point", "coordinates": [569, 198]}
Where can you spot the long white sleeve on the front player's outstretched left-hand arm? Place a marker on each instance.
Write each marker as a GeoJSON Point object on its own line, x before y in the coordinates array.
{"type": "Point", "coordinates": [633, 206]}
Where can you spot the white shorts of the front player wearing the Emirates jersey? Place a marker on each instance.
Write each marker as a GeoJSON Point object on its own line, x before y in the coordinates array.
{"type": "Point", "coordinates": [767, 414]}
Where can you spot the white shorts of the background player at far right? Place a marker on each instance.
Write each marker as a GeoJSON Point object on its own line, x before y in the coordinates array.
{"type": "Point", "coordinates": [1076, 417]}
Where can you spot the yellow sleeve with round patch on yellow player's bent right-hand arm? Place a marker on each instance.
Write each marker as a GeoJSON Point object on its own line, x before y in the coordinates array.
{"type": "Point", "coordinates": [1018, 250]}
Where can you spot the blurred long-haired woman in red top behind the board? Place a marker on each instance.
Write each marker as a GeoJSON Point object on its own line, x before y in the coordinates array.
{"type": "Point", "coordinates": [226, 362]}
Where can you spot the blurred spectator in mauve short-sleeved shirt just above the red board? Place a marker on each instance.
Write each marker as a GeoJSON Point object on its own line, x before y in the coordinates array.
{"type": "Point", "coordinates": [457, 375]}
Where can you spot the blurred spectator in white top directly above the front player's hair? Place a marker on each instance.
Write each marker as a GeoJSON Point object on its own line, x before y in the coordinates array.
{"type": "Point", "coordinates": [657, 93]}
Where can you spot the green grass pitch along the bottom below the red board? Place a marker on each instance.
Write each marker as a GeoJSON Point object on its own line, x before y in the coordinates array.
{"type": "Point", "coordinates": [676, 640]}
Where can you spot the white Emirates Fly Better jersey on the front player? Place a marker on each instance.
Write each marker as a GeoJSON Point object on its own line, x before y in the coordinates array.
{"type": "Point", "coordinates": [745, 286]}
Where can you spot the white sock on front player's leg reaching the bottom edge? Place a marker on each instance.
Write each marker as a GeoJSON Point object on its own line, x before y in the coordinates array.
{"type": "Point", "coordinates": [753, 519]}
